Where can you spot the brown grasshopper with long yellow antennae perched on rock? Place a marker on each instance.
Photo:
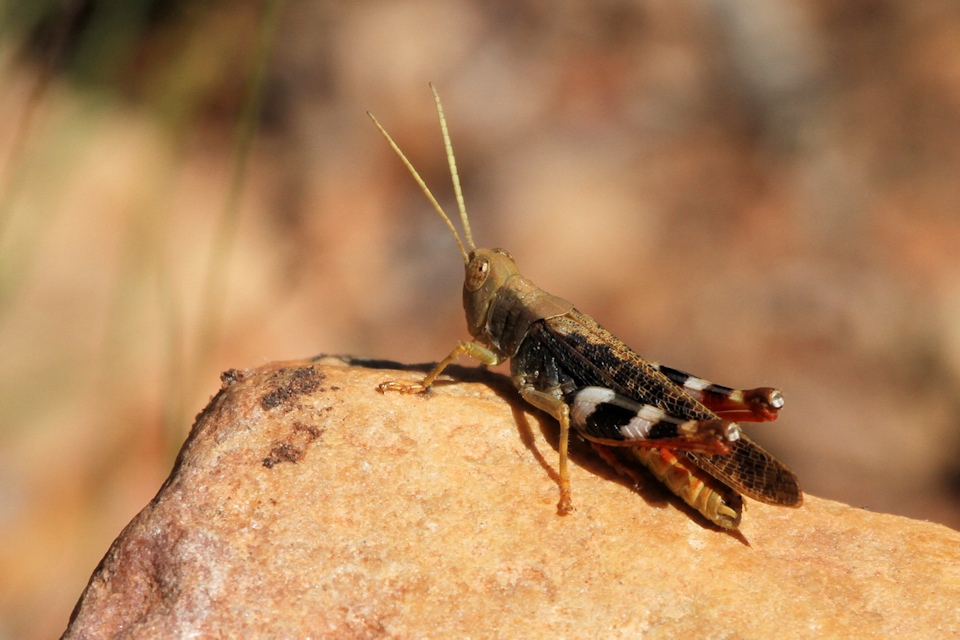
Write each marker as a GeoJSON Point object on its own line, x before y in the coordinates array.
{"type": "Point", "coordinates": [679, 426]}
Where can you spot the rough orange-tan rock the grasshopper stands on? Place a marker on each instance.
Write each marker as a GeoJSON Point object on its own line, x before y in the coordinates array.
{"type": "Point", "coordinates": [306, 504]}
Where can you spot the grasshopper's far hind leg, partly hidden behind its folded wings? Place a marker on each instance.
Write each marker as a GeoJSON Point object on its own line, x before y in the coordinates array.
{"type": "Point", "coordinates": [746, 405]}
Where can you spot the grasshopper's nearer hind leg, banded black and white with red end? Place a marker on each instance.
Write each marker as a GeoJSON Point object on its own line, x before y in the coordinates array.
{"type": "Point", "coordinates": [604, 416]}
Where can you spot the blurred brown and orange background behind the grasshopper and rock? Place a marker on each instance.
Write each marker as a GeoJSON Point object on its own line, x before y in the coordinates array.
{"type": "Point", "coordinates": [761, 192]}
